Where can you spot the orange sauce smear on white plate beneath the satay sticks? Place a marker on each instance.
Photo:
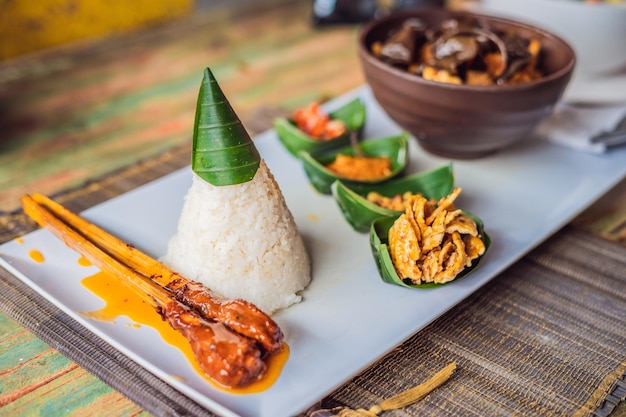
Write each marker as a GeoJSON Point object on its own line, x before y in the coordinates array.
{"type": "Point", "coordinates": [121, 300]}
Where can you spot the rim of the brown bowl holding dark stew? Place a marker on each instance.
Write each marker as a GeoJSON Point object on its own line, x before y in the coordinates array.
{"type": "Point", "coordinates": [365, 53]}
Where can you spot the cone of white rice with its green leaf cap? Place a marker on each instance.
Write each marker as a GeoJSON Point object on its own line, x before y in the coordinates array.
{"type": "Point", "coordinates": [236, 234]}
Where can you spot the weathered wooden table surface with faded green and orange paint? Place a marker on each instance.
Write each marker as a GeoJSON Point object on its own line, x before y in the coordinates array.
{"type": "Point", "coordinates": [74, 114]}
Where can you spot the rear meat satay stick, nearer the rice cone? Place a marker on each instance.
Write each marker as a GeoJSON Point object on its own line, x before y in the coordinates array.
{"type": "Point", "coordinates": [137, 266]}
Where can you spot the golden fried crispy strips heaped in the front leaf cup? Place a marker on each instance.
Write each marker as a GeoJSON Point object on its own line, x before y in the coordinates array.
{"type": "Point", "coordinates": [433, 241]}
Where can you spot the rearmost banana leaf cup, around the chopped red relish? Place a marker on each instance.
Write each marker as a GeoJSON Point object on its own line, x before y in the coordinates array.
{"type": "Point", "coordinates": [295, 140]}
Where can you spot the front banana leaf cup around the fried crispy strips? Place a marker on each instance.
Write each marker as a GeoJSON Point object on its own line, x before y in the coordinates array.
{"type": "Point", "coordinates": [379, 231]}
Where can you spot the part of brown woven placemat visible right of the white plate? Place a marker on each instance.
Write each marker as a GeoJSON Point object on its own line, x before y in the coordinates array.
{"type": "Point", "coordinates": [547, 337]}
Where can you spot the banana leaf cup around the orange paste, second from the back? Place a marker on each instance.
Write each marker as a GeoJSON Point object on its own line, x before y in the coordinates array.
{"type": "Point", "coordinates": [393, 147]}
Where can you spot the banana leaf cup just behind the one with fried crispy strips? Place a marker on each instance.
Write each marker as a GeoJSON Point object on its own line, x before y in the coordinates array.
{"type": "Point", "coordinates": [360, 213]}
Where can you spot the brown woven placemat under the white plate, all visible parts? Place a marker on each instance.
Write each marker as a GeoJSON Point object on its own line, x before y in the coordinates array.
{"type": "Point", "coordinates": [545, 337]}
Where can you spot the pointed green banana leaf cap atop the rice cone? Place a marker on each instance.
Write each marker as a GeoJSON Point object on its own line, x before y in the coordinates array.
{"type": "Point", "coordinates": [222, 152]}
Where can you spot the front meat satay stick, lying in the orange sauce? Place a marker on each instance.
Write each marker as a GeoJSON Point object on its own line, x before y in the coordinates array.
{"type": "Point", "coordinates": [228, 357]}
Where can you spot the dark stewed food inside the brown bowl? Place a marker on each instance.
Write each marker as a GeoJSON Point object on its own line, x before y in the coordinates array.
{"type": "Point", "coordinates": [461, 51]}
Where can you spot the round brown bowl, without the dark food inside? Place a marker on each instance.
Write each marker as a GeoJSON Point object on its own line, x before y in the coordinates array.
{"type": "Point", "coordinates": [464, 121]}
